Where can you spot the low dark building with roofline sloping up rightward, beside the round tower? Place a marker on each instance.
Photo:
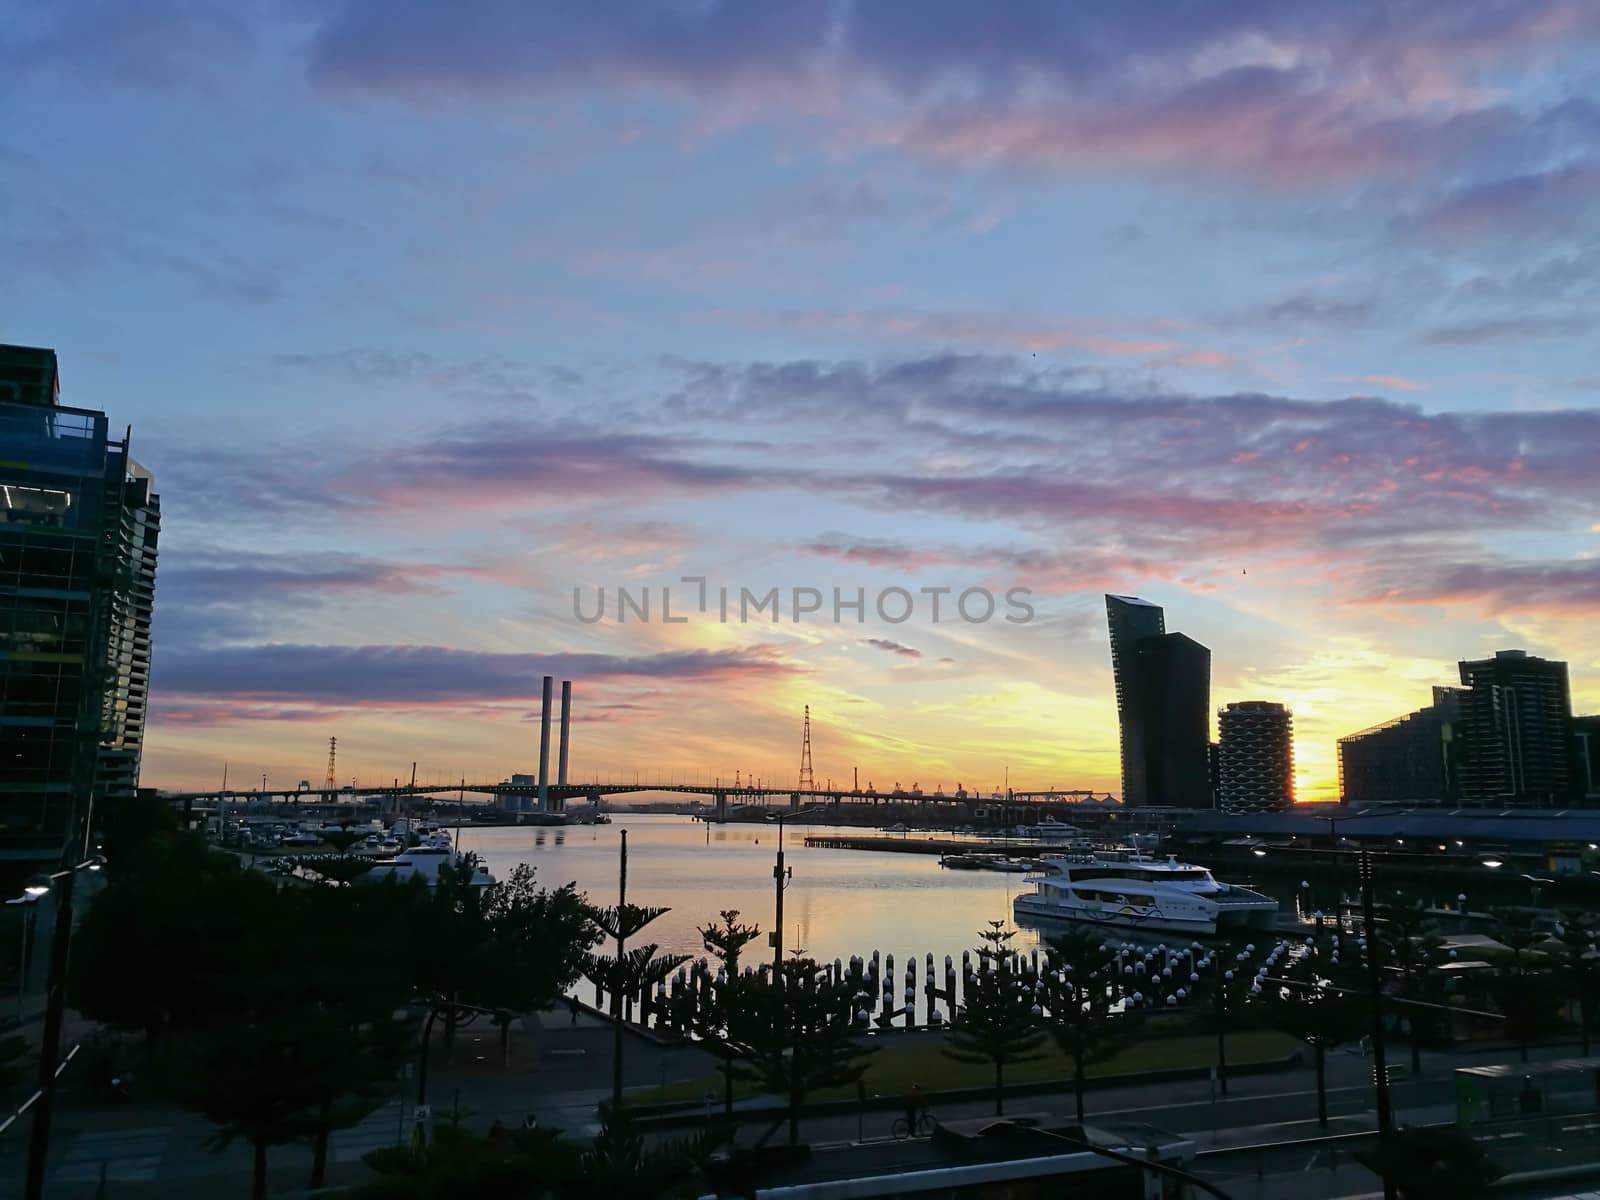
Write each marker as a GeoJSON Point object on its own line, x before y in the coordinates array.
{"type": "Point", "coordinates": [1414, 759]}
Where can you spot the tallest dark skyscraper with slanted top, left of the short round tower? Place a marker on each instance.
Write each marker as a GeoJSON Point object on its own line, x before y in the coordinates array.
{"type": "Point", "coordinates": [1164, 702]}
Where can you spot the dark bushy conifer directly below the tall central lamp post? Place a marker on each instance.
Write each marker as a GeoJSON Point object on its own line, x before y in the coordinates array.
{"type": "Point", "coordinates": [801, 1031]}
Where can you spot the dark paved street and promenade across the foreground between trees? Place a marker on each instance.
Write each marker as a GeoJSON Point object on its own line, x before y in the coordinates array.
{"type": "Point", "coordinates": [561, 1071]}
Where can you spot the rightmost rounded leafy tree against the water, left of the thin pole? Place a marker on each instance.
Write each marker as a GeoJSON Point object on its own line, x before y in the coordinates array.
{"type": "Point", "coordinates": [537, 946]}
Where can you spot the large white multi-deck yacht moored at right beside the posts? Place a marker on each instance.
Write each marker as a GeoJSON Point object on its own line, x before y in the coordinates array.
{"type": "Point", "coordinates": [1138, 892]}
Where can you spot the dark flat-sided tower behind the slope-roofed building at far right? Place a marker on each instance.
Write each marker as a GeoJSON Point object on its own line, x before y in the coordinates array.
{"type": "Point", "coordinates": [1518, 726]}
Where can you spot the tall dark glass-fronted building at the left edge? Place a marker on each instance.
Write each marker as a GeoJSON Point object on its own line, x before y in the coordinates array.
{"type": "Point", "coordinates": [79, 530]}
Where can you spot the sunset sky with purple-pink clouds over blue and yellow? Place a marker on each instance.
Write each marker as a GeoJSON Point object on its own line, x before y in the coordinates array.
{"type": "Point", "coordinates": [428, 318]}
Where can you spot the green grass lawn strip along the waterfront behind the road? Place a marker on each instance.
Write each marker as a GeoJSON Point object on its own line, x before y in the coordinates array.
{"type": "Point", "coordinates": [895, 1068]}
